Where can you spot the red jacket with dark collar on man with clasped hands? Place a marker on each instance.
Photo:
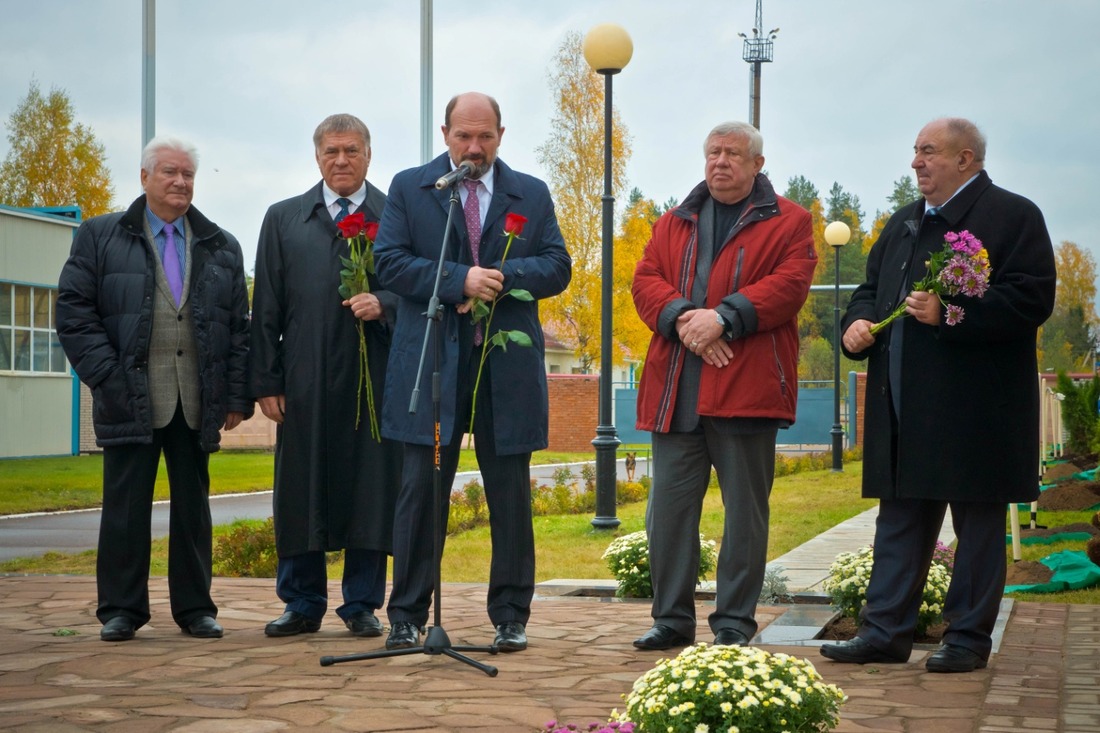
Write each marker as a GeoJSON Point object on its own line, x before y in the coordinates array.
{"type": "Point", "coordinates": [760, 280]}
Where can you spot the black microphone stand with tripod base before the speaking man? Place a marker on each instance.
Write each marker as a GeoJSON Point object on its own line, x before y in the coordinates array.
{"type": "Point", "coordinates": [436, 642]}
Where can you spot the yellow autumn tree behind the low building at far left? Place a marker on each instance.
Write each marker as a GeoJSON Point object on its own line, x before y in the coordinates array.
{"type": "Point", "coordinates": [53, 160]}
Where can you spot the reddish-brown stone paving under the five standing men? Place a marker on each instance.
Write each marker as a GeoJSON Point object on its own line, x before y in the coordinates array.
{"type": "Point", "coordinates": [579, 665]}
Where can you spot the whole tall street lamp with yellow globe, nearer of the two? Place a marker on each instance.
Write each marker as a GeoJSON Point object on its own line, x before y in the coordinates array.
{"type": "Point", "coordinates": [608, 50]}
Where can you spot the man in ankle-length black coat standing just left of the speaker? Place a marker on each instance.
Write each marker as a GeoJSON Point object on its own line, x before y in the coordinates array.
{"type": "Point", "coordinates": [335, 484]}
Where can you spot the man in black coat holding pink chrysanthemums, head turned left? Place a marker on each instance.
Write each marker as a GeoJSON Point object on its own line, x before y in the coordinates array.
{"type": "Point", "coordinates": [952, 410]}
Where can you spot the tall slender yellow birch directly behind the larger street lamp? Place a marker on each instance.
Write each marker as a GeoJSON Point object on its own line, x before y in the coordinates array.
{"type": "Point", "coordinates": [574, 159]}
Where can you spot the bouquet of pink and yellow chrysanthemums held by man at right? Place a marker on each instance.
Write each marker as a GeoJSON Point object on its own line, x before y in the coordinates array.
{"type": "Point", "coordinates": [961, 268]}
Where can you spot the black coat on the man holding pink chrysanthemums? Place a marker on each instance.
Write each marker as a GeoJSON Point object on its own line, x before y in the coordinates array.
{"type": "Point", "coordinates": [970, 396]}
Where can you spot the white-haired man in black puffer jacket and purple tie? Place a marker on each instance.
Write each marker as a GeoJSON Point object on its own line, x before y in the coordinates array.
{"type": "Point", "coordinates": [153, 315]}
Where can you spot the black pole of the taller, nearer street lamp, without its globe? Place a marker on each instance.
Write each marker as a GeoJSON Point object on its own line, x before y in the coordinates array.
{"type": "Point", "coordinates": [607, 441]}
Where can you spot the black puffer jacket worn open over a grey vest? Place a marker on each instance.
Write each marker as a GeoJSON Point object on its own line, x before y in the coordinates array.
{"type": "Point", "coordinates": [105, 321]}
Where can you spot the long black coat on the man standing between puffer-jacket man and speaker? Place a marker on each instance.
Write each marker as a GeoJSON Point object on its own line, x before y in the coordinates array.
{"type": "Point", "coordinates": [335, 486]}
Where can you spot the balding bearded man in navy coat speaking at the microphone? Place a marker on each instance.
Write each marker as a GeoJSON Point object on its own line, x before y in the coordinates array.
{"type": "Point", "coordinates": [510, 404]}
